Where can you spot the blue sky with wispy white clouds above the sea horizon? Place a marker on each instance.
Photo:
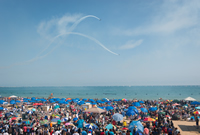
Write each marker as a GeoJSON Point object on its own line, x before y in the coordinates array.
{"type": "Point", "coordinates": [158, 42]}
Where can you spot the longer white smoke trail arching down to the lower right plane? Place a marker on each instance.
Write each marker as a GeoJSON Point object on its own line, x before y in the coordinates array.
{"type": "Point", "coordinates": [67, 33]}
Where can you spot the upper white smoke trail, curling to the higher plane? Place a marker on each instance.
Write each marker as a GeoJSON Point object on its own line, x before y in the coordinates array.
{"type": "Point", "coordinates": [70, 30]}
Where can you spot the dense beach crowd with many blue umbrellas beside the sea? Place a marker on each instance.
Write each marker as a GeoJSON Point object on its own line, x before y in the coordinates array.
{"type": "Point", "coordinates": [70, 117]}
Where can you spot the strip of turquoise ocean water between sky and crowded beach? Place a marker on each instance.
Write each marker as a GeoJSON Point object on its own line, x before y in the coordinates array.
{"type": "Point", "coordinates": [112, 92]}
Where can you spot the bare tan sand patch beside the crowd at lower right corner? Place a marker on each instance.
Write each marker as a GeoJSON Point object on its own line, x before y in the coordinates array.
{"type": "Point", "coordinates": [187, 127]}
